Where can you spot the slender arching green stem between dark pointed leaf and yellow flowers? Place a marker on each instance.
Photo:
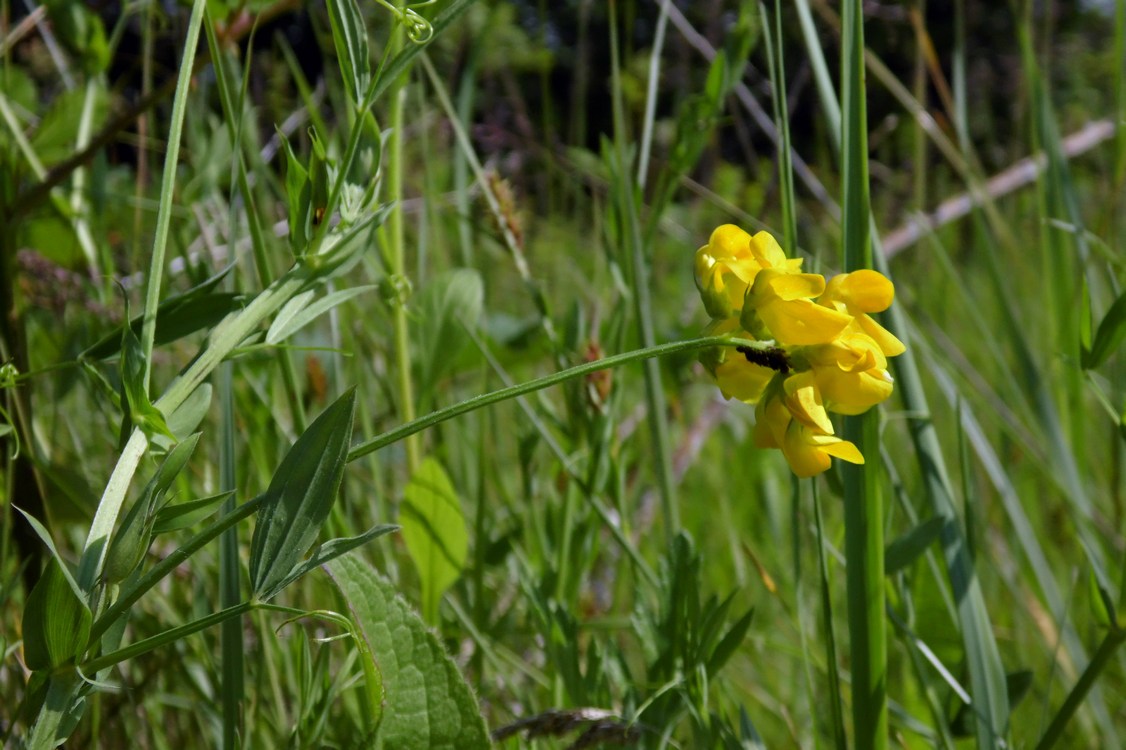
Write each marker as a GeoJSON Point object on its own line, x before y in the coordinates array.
{"type": "Point", "coordinates": [488, 399]}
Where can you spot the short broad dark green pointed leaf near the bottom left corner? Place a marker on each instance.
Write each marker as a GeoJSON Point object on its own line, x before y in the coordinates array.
{"type": "Point", "coordinates": [57, 621]}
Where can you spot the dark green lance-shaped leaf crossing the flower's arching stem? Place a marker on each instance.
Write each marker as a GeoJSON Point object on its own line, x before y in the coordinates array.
{"type": "Point", "coordinates": [301, 496]}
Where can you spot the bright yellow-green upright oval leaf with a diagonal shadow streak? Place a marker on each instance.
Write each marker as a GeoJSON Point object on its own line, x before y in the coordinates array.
{"type": "Point", "coordinates": [434, 530]}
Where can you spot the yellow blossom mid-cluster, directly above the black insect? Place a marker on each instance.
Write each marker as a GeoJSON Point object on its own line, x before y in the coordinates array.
{"type": "Point", "coordinates": [781, 302]}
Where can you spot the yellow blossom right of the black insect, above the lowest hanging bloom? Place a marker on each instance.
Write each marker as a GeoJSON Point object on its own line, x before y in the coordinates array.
{"type": "Point", "coordinates": [851, 373]}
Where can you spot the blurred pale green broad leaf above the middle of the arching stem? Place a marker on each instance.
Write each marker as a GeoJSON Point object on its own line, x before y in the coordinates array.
{"type": "Point", "coordinates": [448, 306]}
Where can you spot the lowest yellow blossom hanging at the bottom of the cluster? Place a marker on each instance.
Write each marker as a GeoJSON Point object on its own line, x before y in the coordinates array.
{"type": "Point", "coordinates": [809, 450]}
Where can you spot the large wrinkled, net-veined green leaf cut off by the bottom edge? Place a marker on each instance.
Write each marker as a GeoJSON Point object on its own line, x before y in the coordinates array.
{"type": "Point", "coordinates": [428, 703]}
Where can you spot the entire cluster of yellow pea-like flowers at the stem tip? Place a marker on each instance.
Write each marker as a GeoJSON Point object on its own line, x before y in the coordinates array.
{"type": "Point", "coordinates": [828, 356]}
